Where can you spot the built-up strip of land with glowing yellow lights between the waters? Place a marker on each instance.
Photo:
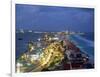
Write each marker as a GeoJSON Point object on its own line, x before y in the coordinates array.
{"type": "Point", "coordinates": [53, 51]}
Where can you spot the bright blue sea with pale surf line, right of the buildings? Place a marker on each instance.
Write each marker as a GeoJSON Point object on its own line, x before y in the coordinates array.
{"type": "Point", "coordinates": [85, 43]}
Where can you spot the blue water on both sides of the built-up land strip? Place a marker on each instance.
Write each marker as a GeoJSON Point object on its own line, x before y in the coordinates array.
{"type": "Point", "coordinates": [84, 42]}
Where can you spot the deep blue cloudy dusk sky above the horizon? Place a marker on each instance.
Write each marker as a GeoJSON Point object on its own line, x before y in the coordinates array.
{"type": "Point", "coordinates": [54, 18]}
